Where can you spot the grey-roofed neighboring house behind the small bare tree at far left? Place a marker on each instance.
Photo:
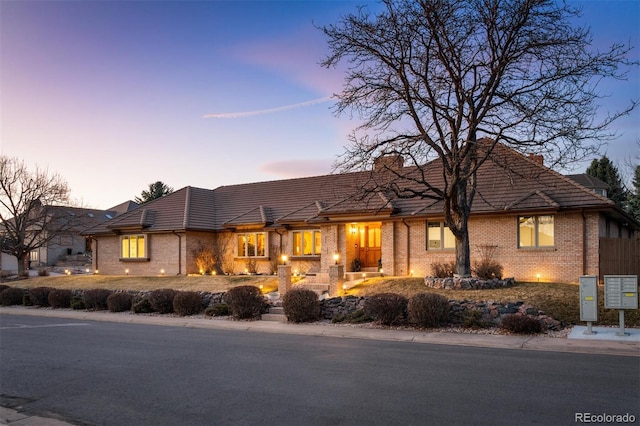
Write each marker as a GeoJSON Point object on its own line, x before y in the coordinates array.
{"type": "Point", "coordinates": [73, 221]}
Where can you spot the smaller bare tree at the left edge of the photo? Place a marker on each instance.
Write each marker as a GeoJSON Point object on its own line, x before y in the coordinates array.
{"type": "Point", "coordinates": [27, 209]}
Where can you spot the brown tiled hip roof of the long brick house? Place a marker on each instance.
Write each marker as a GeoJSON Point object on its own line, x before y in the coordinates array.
{"type": "Point", "coordinates": [507, 182]}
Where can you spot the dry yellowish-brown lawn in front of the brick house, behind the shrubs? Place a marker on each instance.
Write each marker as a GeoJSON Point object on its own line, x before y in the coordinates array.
{"type": "Point", "coordinates": [561, 301]}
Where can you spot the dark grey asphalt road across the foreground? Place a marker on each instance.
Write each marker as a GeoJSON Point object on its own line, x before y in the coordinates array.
{"type": "Point", "coordinates": [103, 373]}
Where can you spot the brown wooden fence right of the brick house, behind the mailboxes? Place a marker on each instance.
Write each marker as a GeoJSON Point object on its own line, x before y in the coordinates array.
{"type": "Point", "coordinates": [619, 257]}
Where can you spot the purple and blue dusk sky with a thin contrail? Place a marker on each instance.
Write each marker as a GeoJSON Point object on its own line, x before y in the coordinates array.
{"type": "Point", "coordinates": [114, 95]}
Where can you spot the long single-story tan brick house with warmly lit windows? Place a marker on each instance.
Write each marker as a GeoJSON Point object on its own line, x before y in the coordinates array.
{"type": "Point", "coordinates": [540, 225]}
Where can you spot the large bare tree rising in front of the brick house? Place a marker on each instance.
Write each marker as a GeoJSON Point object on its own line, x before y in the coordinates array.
{"type": "Point", "coordinates": [432, 78]}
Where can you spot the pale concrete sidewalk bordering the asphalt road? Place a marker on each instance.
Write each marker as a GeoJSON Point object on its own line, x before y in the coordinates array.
{"type": "Point", "coordinates": [604, 342]}
